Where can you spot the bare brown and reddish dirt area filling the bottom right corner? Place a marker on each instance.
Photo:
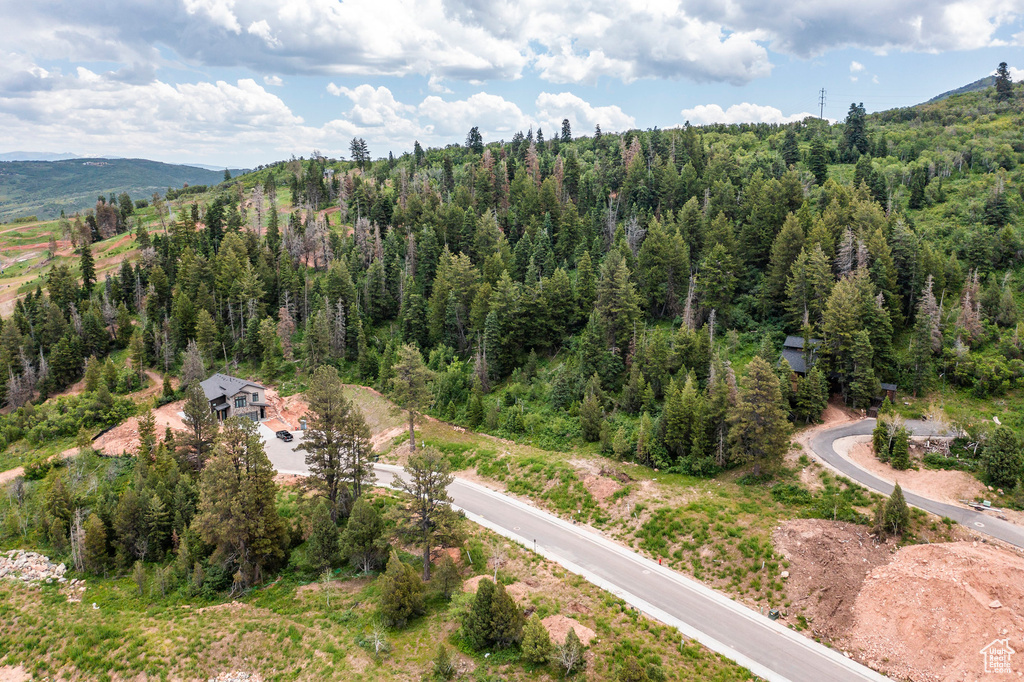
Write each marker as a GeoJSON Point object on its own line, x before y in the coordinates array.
{"type": "Point", "coordinates": [921, 613]}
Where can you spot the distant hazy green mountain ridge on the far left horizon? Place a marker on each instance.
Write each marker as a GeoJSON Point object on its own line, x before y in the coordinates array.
{"type": "Point", "coordinates": [46, 188]}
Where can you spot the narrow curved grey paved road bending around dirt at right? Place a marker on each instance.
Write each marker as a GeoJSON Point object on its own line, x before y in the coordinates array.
{"type": "Point", "coordinates": [822, 445]}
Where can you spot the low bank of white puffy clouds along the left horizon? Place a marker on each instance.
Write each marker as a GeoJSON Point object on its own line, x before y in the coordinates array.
{"type": "Point", "coordinates": [243, 123]}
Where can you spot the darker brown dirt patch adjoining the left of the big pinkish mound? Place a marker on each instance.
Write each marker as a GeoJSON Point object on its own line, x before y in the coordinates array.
{"type": "Point", "coordinates": [829, 562]}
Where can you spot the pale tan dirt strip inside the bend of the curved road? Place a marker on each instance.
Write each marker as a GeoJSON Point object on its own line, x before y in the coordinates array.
{"type": "Point", "coordinates": [949, 487]}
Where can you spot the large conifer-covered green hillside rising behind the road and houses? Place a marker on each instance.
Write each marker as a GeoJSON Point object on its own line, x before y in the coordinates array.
{"type": "Point", "coordinates": [629, 289]}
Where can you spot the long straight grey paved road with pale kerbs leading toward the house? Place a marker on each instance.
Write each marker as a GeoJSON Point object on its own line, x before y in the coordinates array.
{"type": "Point", "coordinates": [765, 648]}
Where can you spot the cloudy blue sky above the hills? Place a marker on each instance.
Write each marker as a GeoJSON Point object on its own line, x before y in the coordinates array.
{"type": "Point", "coordinates": [243, 83]}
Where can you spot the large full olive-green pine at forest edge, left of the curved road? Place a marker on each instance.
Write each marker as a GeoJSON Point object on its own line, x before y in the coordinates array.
{"type": "Point", "coordinates": [760, 432]}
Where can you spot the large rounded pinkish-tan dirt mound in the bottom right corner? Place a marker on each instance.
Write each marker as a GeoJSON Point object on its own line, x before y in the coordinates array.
{"type": "Point", "coordinates": [928, 614]}
